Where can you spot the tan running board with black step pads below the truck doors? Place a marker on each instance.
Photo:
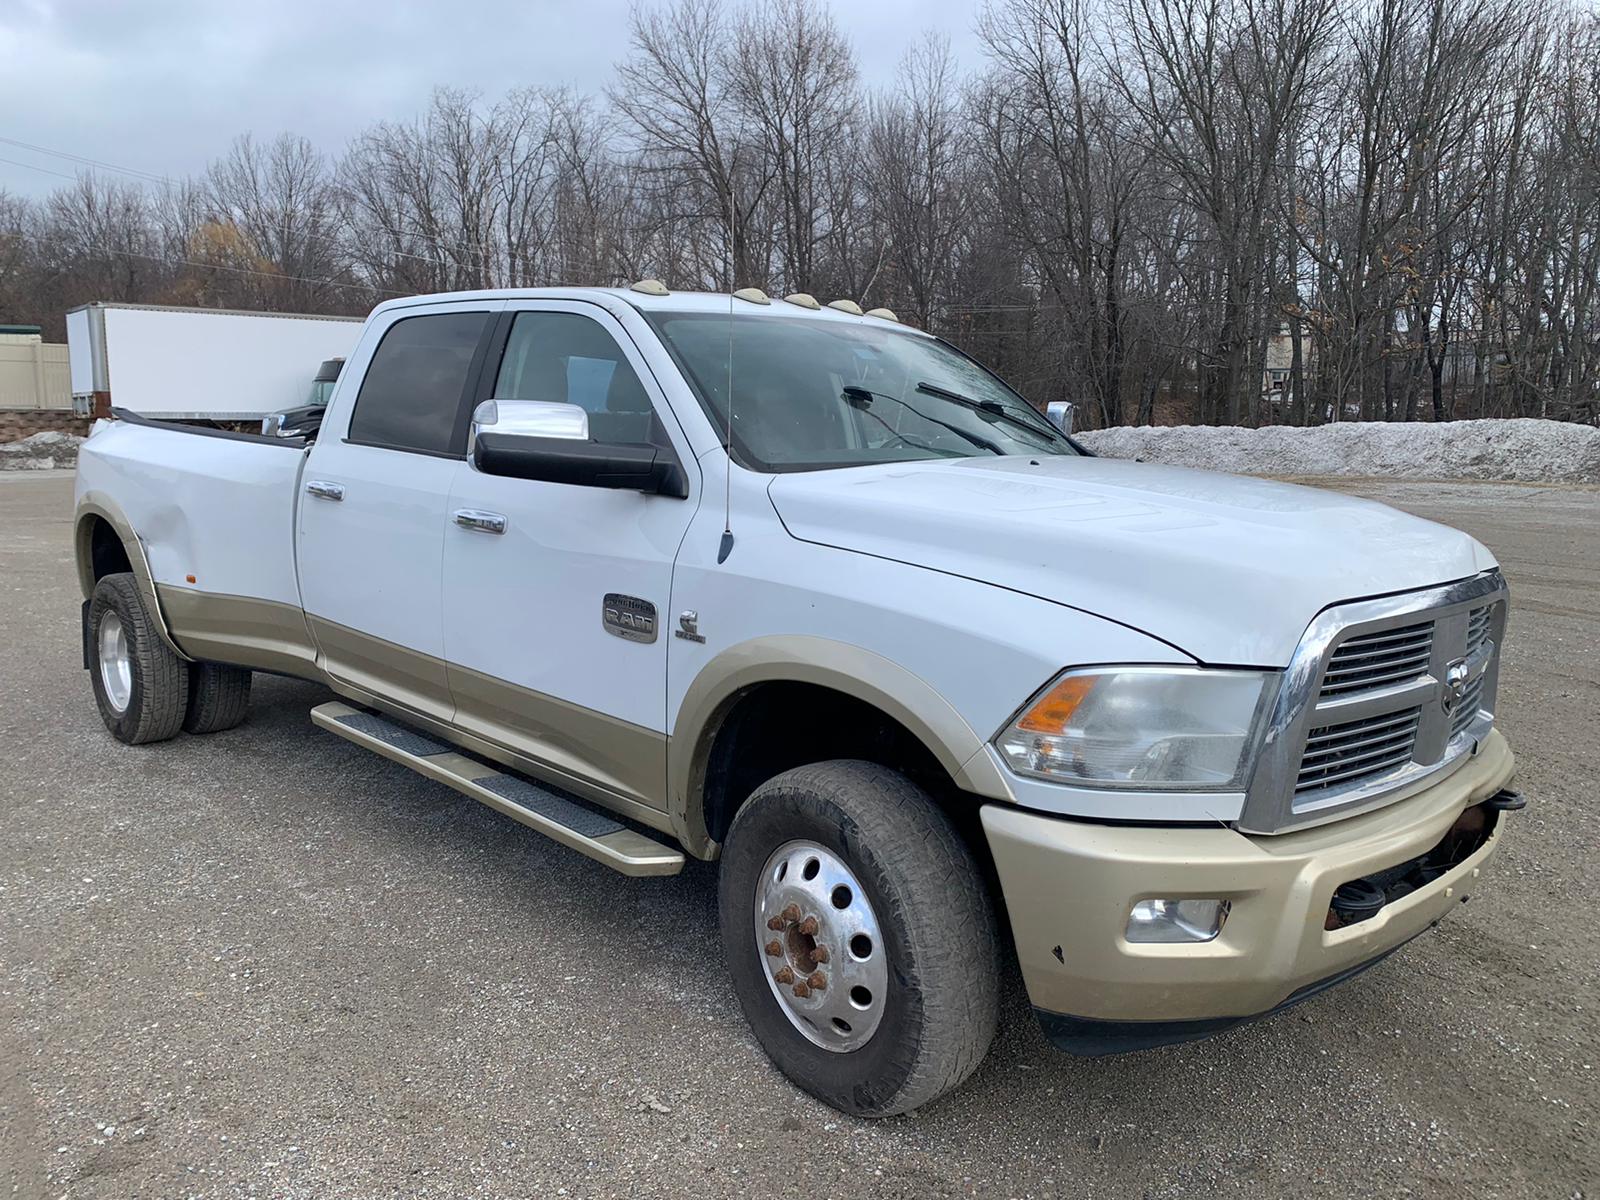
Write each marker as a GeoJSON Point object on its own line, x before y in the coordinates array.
{"type": "Point", "coordinates": [588, 831]}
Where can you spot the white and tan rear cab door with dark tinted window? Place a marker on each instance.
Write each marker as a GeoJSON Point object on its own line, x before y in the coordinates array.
{"type": "Point", "coordinates": [372, 506]}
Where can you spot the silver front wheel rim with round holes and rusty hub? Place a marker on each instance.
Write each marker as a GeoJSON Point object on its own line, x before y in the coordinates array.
{"type": "Point", "coordinates": [822, 948]}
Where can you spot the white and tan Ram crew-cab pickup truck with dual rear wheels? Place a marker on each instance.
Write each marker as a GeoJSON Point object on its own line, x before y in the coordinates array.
{"type": "Point", "coordinates": [817, 596]}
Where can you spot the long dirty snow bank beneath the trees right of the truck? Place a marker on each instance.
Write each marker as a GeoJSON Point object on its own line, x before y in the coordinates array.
{"type": "Point", "coordinates": [1527, 450]}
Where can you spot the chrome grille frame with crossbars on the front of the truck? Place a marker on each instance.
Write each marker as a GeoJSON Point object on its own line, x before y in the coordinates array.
{"type": "Point", "coordinates": [1271, 802]}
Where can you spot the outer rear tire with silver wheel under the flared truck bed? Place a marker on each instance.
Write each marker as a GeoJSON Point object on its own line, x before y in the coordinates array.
{"type": "Point", "coordinates": [142, 687]}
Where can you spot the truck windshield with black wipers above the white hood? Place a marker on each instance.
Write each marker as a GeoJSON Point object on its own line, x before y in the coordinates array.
{"type": "Point", "coordinates": [815, 394]}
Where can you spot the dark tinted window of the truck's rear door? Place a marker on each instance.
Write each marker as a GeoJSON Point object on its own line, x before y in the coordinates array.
{"type": "Point", "coordinates": [412, 394]}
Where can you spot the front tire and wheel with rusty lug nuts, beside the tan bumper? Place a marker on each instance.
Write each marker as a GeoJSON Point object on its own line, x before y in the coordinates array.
{"type": "Point", "coordinates": [860, 937]}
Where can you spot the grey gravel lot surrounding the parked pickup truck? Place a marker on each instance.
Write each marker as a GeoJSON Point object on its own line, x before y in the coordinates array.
{"type": "Point", "coordinates": [270, 964]}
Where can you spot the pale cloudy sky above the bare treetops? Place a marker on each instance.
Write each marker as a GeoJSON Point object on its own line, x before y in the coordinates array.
{"type": "Point", "coordinates": [164, 86]}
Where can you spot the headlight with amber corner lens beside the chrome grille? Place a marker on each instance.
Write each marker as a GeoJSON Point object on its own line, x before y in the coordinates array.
{"type": "Point", "coordinates": [1142, 727]}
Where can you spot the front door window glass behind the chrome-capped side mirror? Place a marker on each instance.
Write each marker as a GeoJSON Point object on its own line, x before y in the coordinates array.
{"type": "Point", "coordinates": [570, 359]}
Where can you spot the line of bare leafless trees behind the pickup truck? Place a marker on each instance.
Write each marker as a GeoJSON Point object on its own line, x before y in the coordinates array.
{"type": "Point", "coordinates": [1142, 206]}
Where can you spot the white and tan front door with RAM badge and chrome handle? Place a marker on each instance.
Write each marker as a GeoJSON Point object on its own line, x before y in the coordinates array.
{"type": "Point", "coordinates": [558, 625]}
